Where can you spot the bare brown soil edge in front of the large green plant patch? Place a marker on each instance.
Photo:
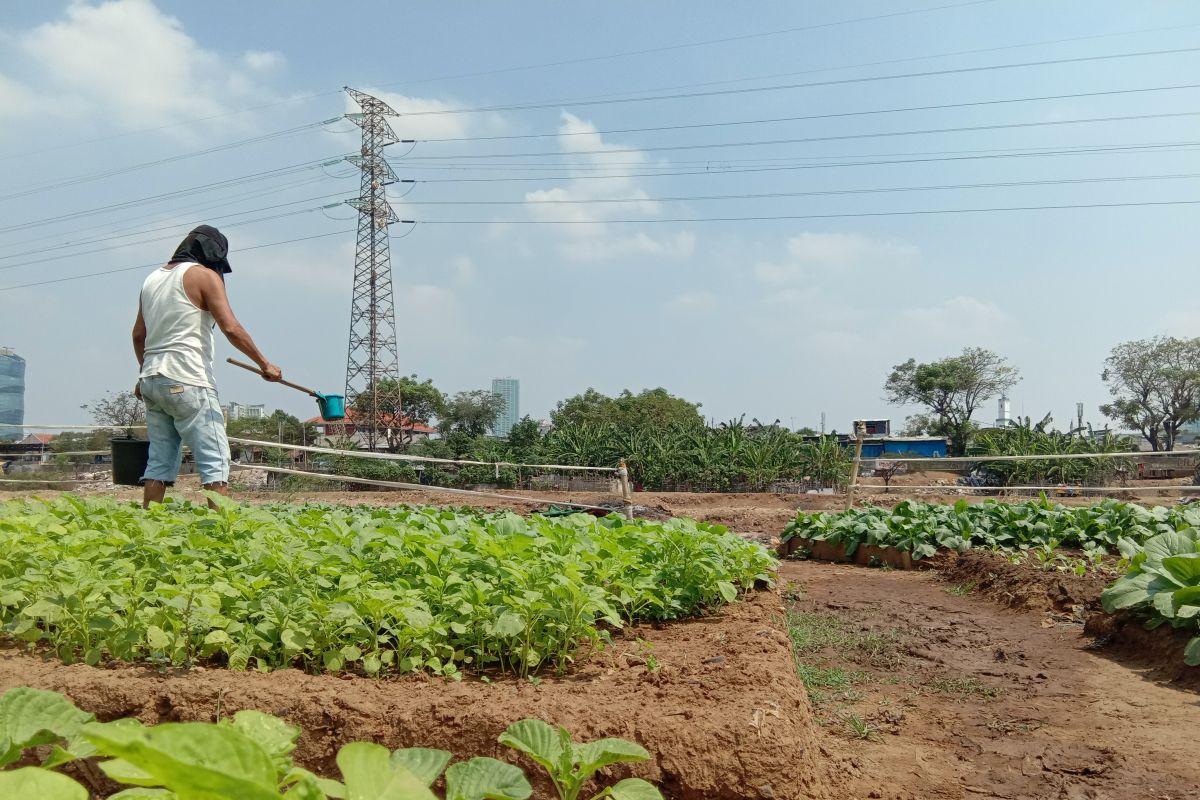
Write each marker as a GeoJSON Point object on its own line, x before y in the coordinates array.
{"type": "Point", "coordinates": [723, 713]}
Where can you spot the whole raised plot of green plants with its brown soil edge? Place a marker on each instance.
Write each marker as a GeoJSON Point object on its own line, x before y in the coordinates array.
{"type": "Point", "coordinates": [417, 628]}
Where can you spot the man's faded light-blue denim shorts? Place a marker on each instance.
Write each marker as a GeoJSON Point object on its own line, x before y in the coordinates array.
{"type": "Point", "coordinates": [179, 414]}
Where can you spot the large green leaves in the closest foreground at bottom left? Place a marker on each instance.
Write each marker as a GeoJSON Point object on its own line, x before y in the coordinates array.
{"type": "Point", "coordinates": [250, 759]}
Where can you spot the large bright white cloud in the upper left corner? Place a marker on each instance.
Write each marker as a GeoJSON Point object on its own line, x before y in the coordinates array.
{"type": "Point", "coordinates": [128, 62]}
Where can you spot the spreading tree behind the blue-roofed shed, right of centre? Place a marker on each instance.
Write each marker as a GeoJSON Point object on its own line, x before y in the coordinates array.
{"type": "Point", "coordinates": [952, 389]}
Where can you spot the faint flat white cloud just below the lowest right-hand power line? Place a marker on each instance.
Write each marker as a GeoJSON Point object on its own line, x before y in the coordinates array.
{"type": "Point", "coordinates": [813, 256]}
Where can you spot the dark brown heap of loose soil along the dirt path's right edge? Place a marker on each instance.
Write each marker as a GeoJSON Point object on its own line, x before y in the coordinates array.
{"type": "Point", "coordinates": [1024, 586]}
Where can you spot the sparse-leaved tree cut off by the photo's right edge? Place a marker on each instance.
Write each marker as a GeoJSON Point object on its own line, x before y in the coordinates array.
{"type": "Point", "coordinates": [1156, 387]}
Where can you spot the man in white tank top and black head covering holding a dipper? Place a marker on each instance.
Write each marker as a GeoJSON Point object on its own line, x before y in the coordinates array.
{"type": "Point", "coordinates": [179, 308]}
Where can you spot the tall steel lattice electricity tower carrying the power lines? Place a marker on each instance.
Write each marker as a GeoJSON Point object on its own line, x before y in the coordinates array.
{"type": "Point", "coordinates": [373, 356]}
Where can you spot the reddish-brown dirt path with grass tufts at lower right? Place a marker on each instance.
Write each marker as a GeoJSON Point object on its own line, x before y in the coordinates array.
{"type": "Point", "coordinates": [928, 693]}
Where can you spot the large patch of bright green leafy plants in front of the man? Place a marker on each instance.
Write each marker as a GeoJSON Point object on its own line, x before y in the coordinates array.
{"type": "Point", "coordinates": [370, 591]}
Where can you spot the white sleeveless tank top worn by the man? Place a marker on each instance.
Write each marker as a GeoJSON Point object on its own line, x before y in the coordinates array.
{"type": "Point", "coordinates": [179, 335]}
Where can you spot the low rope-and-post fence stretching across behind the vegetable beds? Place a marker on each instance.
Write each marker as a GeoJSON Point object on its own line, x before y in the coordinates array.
{"type": "Point", "coordinates": [334, 466]}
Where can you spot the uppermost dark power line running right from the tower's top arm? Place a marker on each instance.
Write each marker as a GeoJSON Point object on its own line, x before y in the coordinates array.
{"type": "Point", "coordinates": [838, 82]}
